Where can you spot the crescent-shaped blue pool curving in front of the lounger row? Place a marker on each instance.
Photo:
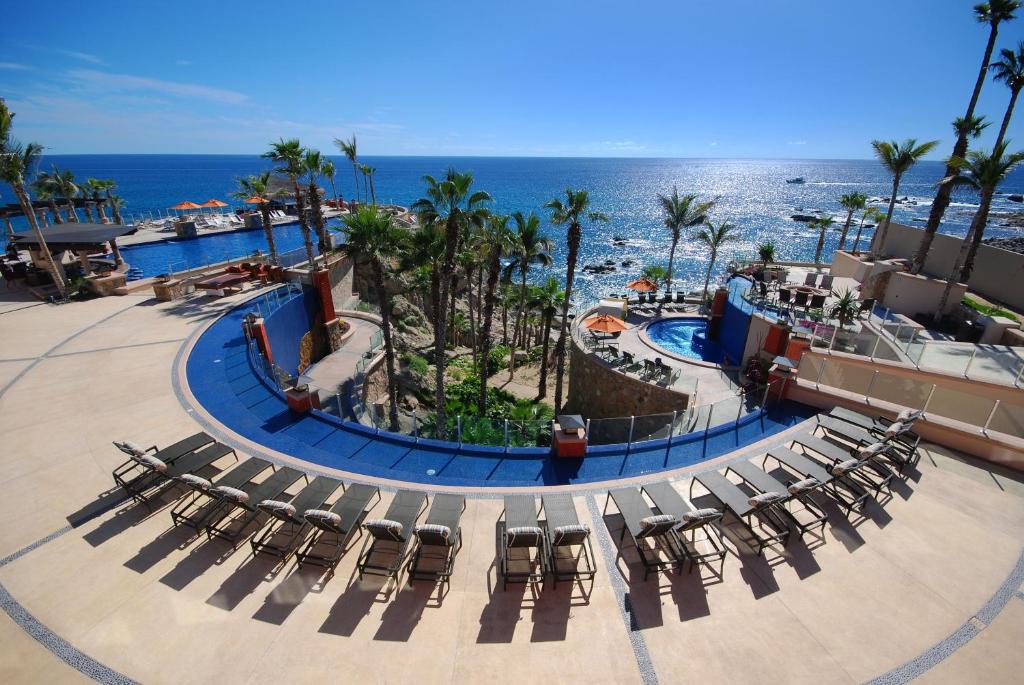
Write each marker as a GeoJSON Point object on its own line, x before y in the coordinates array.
{"type": "Point", "coordinates": [224, 379]}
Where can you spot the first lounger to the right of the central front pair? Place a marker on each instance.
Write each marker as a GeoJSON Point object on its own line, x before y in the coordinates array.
{"type": "Point", "coordinates": [645, 525]}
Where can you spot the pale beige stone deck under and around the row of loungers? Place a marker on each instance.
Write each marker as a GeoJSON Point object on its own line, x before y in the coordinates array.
{"type": "Point", "coordinates": [928, 586]}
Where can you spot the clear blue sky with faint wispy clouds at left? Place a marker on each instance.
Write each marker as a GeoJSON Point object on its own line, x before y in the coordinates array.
{"type": "Point", "coordinates": [595, 79]}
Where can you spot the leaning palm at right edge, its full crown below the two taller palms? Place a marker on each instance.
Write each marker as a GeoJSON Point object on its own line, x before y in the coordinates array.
{"type": "Point", "coordinates": [984, 174]}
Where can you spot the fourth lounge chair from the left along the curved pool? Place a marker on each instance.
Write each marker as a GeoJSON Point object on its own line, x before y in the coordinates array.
{"type": "Point", "coordinates": [239, 508]}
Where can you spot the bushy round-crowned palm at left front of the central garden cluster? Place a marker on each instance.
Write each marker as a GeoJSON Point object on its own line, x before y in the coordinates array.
{"type": "Point", "coordinates": [372, 237]}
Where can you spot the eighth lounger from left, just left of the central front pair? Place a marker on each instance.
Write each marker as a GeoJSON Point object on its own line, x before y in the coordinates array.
{"type": "Point", "coordinates": [438, 540]}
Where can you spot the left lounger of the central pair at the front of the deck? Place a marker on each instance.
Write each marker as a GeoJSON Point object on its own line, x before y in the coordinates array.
{"type": "Point", "coordinates": [519, 529]}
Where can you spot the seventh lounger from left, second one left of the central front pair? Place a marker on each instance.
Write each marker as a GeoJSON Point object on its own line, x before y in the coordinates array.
{"type": "Point", "coordinates": [388, 543]}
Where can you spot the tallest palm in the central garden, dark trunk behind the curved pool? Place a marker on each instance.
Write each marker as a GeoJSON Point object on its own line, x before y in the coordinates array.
{"type": "Point", "coordinates": [452, 203]}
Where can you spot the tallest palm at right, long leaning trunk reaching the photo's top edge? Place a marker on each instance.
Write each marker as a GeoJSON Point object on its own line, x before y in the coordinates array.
{"type": "Point", "coordinates": [994, 14]}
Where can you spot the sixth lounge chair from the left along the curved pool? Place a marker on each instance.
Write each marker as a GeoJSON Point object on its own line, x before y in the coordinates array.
{"type": "Point", "coordinates": [334, 529]}
